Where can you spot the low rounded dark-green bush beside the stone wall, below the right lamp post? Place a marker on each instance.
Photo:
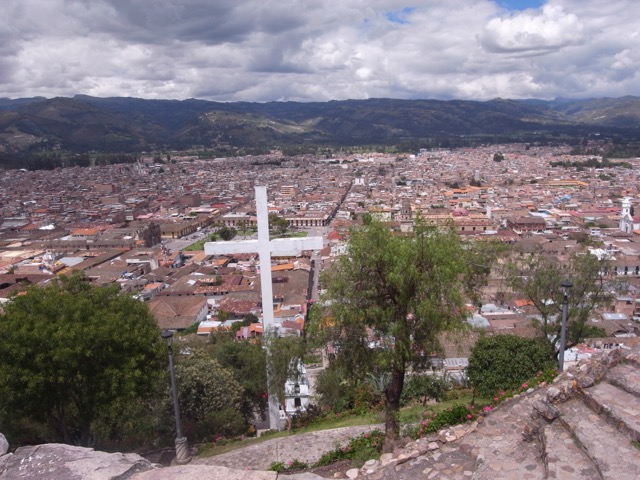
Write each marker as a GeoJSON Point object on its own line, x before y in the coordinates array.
{"type": "Point", "coordinates": [504, 362]}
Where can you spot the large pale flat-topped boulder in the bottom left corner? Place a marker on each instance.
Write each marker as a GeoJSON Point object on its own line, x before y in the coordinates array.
{"type": "Point", "coordinates": [56, 461]}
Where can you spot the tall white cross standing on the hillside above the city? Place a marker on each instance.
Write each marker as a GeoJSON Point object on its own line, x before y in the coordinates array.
{"type": "Point", "coordinates": [265, 247]}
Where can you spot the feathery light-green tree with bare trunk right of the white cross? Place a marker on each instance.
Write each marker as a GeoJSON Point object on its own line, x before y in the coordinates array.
{"type": "Point", "coordinates": [390, 297]}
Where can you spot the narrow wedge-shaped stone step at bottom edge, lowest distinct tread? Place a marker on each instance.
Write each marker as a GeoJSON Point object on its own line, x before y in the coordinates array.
{"type": "Point", "coordinates": [564, 460]}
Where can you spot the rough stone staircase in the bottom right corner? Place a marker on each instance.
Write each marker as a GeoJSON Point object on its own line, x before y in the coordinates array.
{"type": "Point", "coordinates": [584, 426]}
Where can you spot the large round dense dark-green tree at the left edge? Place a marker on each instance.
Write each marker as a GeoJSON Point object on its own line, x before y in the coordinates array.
{"type": "Point", "coordinates": [74, 356]}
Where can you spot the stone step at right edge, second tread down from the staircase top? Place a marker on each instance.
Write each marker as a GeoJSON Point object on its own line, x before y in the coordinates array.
{"type": "Point", "coordinates": [620, 408]}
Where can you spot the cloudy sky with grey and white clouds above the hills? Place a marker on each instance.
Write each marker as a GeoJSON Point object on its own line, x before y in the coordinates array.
{"type": "Point", "coordinates": [318, 50]}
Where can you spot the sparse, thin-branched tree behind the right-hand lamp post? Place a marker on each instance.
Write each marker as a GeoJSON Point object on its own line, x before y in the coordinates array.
{"type": "Point", "coordinates": [538, 278]}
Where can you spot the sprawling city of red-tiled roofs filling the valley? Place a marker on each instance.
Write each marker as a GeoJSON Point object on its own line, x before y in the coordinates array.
{"type": "Point", "coordinates": [134, 224]}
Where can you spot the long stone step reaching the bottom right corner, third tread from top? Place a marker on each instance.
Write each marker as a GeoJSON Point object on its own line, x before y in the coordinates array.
{"type": "Point", "coordinates": [613, 454]}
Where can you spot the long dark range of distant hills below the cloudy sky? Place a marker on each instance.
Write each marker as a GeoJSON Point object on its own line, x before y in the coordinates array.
{"type": "Point", "coordinates": [84, 123]}
